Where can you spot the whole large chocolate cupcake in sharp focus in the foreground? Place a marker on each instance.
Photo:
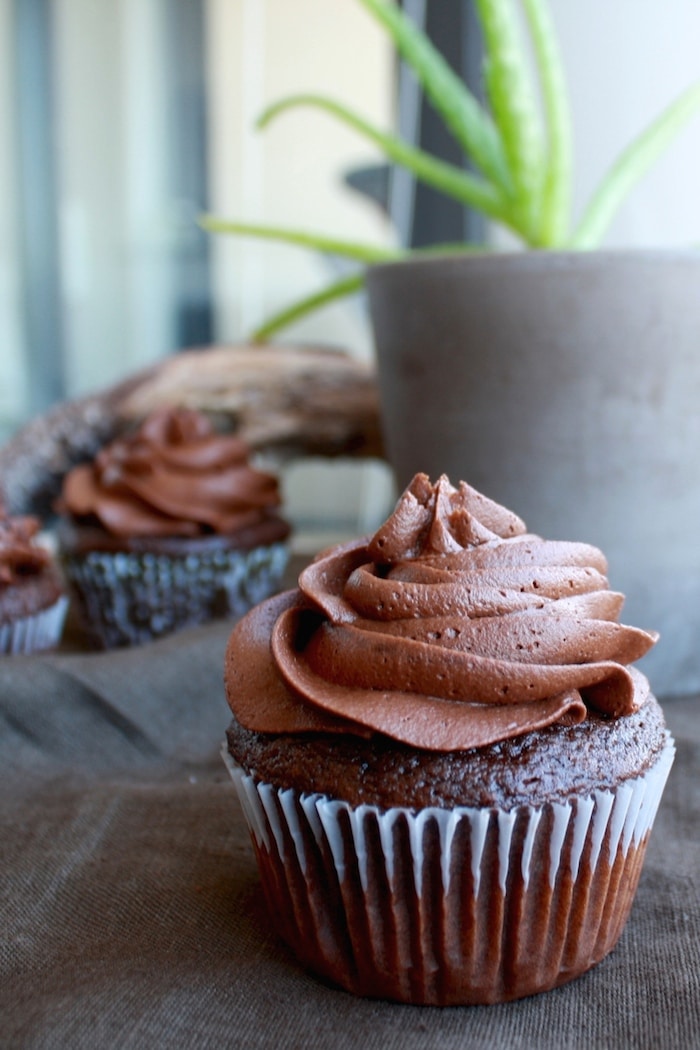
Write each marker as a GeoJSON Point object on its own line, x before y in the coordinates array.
{"type": "Point", "coordinates": [449, 767]}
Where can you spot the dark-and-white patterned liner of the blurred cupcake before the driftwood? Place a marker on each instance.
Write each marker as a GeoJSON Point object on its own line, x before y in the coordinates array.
{"type": "Point", "coordinates": [129, 599]}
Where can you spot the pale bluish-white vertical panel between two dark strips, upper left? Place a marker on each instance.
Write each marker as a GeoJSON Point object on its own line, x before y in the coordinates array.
{"type": "Point", "coordinates": [112, 184]}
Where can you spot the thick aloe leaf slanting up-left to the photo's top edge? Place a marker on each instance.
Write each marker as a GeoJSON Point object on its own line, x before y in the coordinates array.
{"type": "Point", "coordinates": [468, 120]}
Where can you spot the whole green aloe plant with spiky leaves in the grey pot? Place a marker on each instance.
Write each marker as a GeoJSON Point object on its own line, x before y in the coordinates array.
{"type": "Point", "coordinates": [519, 144]}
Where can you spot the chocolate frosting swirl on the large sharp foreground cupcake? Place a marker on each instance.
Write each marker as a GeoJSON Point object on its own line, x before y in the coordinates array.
{"type": "Point", "coordinates": [451, 628]}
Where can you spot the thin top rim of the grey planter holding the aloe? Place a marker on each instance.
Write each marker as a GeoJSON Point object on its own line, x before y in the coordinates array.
{"type": "Point", "coordinates": [541, 261]}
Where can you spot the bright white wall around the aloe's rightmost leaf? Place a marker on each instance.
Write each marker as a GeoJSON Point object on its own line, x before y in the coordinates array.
{"type": "Point", "coordinates": [627, 61]}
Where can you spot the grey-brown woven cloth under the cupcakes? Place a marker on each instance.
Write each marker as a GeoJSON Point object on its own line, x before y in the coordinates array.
{"type": "Point", "coordinates": [132, 913]}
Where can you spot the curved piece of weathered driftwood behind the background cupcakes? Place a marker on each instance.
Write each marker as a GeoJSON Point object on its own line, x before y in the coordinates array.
{"type": "Point", "coordinates": [286, 402]}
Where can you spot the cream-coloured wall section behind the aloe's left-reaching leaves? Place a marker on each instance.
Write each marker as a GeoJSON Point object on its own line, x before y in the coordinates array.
{"type": "Point", "coordinates": [291, 174]}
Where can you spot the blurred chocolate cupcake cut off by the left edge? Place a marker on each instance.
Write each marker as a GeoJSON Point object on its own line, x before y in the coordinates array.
{"type": "Point", "coordinates": [33, 604]}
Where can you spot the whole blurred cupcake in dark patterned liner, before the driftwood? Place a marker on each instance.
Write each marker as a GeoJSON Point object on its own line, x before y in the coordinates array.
{"type": "Point", "coordinates": [169, 528]}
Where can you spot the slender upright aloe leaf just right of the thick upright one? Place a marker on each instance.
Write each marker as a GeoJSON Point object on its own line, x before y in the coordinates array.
{"type": "Point", "coordinates": [557, 191]}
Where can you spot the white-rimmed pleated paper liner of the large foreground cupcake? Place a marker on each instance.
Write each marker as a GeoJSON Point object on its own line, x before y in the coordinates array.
{"type": "Point", "coordinates": [451, 907]}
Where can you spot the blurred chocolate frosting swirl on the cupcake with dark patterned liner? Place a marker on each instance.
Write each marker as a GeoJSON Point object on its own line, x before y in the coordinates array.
{"type": "Point", "coordinates": [175, 477]}
